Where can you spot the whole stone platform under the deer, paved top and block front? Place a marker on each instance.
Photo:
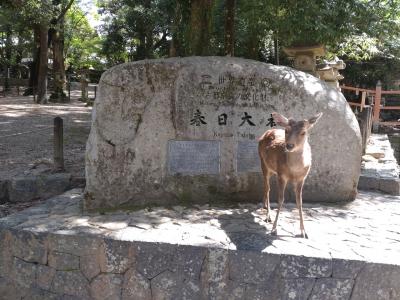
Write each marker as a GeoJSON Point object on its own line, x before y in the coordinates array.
{"type": "Point", "coordinates": [53, 251]}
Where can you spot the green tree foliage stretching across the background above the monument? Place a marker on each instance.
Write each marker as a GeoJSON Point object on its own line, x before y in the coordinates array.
{"type": "Point", "coordinates": [363, 32]}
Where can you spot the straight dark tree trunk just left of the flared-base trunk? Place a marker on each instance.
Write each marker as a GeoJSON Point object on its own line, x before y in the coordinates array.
{"type": "Point", "coordinates": [43, 59]}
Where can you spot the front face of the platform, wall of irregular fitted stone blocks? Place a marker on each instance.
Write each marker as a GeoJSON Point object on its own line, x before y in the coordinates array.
{"type": "Point", "coordinates": [65, 266]}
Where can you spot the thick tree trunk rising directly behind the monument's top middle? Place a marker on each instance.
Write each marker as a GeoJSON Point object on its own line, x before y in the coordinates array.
{"type": "Point", "coordinates": [199, 32]}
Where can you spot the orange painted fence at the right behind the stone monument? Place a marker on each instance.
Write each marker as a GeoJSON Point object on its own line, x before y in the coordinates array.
{"type": "Point", "coordinates": [376, 94]}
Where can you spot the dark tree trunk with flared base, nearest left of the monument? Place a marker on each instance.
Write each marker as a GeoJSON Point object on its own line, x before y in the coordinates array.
{"type": "Point", "coordinates": [57, 39]}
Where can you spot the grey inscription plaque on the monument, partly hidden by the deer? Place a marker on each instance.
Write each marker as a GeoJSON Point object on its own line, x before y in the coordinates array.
{"type": "Point", "coordinates": [247, 157]}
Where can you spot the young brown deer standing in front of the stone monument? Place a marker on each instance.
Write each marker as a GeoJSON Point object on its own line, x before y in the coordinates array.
{"type": "Point", "coordinates": [287, 154]}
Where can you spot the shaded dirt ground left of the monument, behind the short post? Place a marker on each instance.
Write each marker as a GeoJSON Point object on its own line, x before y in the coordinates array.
{"type": "Point", "coordinates": [26, 135]}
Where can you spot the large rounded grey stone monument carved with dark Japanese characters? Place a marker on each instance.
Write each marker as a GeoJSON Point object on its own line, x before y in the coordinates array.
{"type": "Point", "coordinates": [185, 130]}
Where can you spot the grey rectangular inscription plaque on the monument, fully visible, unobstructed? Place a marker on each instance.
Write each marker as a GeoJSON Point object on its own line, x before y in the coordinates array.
{"type": "Point", "coordinates": [193, 157]}
